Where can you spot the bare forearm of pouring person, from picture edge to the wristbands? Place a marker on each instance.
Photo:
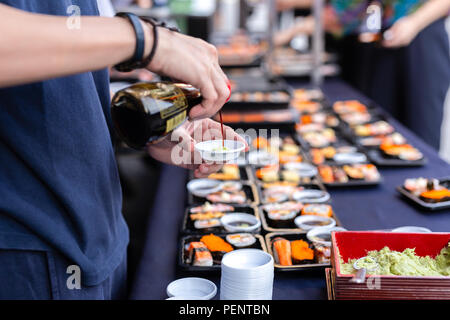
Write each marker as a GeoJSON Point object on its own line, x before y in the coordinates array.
{"type": "Point", "coordinates": [38, 47]}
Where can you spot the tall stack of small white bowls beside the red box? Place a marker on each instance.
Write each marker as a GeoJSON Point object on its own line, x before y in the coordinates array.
{"type": "Point", "coordinates": [247, 274]}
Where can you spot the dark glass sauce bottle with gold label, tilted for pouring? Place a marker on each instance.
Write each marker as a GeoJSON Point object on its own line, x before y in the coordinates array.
{"type": "Point", "coordinates": [146, 112]}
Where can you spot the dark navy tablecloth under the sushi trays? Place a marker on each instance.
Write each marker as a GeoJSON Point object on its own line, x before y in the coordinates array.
{"type": "Point", "coordinates": [374, 208]}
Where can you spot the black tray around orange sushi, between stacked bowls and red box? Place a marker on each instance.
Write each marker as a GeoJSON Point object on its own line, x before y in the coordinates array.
{"type": "Point", "coordinates": [299, 267]}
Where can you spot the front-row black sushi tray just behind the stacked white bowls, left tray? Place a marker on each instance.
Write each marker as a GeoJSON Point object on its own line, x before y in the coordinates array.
{"type": "Point", "coordinates": [259, 244]}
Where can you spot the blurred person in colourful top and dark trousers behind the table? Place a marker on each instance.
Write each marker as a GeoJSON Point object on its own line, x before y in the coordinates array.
{"type": "Point", "coordinates": [407, 71]}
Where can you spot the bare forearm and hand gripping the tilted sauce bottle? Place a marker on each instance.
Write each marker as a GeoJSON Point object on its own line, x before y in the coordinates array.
{"type": "Point", "coordinates": [37, 47]}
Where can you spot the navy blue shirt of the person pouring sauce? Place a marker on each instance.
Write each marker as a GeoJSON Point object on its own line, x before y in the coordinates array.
{"type": "Point", "coordinates": [59, 184]}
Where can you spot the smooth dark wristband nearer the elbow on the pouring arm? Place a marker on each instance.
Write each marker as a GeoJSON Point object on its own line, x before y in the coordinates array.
{"type": "Point", "coordinates": [135, 61]}
